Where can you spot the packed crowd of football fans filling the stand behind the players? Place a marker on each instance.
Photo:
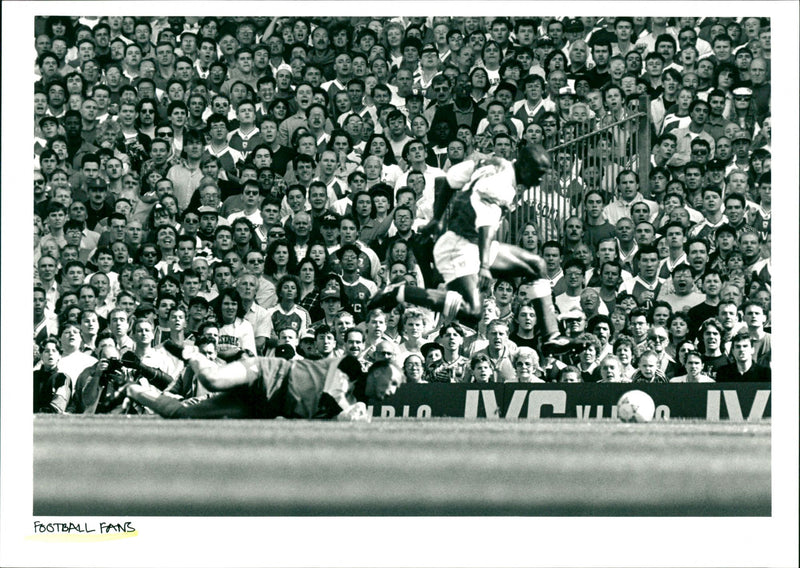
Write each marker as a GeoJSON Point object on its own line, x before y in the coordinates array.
{"type": "Point", "coordinates": [248, 185]}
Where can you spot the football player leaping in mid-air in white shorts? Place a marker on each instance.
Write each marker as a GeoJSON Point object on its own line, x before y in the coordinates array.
{"type": "Point", "coordinates": [467, 254]}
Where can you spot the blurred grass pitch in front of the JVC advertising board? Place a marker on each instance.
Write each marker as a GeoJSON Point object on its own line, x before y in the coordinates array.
{"type": "Point", "coordinates": [143, 466]}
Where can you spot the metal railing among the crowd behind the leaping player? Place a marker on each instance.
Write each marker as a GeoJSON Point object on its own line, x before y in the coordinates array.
{"type": "Point", "coordinates": [584, 158]}
